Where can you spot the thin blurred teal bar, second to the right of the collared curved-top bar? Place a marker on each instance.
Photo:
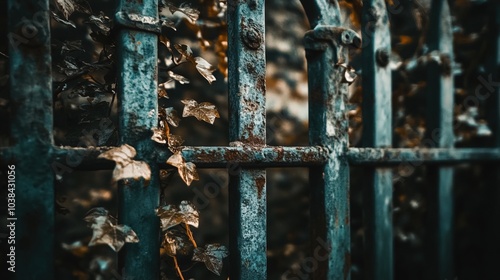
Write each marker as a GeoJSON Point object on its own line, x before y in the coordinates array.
{"type": "Point", "coordinates": [439, 132]}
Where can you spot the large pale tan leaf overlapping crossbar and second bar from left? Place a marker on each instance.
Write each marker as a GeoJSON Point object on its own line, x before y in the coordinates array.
{"type": "Point", "coordinates": [126, 167]}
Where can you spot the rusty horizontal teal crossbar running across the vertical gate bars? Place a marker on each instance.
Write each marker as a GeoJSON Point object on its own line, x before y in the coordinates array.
{"type": "Point", "coordinates": [275, 156]}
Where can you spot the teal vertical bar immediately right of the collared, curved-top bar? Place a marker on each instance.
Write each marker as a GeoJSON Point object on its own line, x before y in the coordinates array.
{"type": "Point", "coordinates": [377, 132]}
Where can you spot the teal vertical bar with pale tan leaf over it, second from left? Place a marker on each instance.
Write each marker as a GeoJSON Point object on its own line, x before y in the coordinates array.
{"type": "Point", "coordinates": [138, 105]}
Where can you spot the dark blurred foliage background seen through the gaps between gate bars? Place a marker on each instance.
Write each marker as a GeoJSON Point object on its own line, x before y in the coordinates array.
{"type": "Point", "coordinates": [84, 98]}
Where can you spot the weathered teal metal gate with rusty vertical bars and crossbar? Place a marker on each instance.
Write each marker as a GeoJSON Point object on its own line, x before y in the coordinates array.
{"type": "Point", "coordinates": [328, 156]}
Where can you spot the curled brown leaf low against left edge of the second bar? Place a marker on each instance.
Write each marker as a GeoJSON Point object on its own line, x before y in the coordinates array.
{"type": "Point", "coordinates": [107, 231]}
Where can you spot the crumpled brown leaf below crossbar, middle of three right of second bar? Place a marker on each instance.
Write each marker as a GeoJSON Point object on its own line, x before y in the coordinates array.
{"type": "Point", "coordinates": [171, 215]}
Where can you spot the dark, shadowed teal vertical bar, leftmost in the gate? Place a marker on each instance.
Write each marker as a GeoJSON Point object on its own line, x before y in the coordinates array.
{"type": "Point", "coordinates": [31, 96]}
